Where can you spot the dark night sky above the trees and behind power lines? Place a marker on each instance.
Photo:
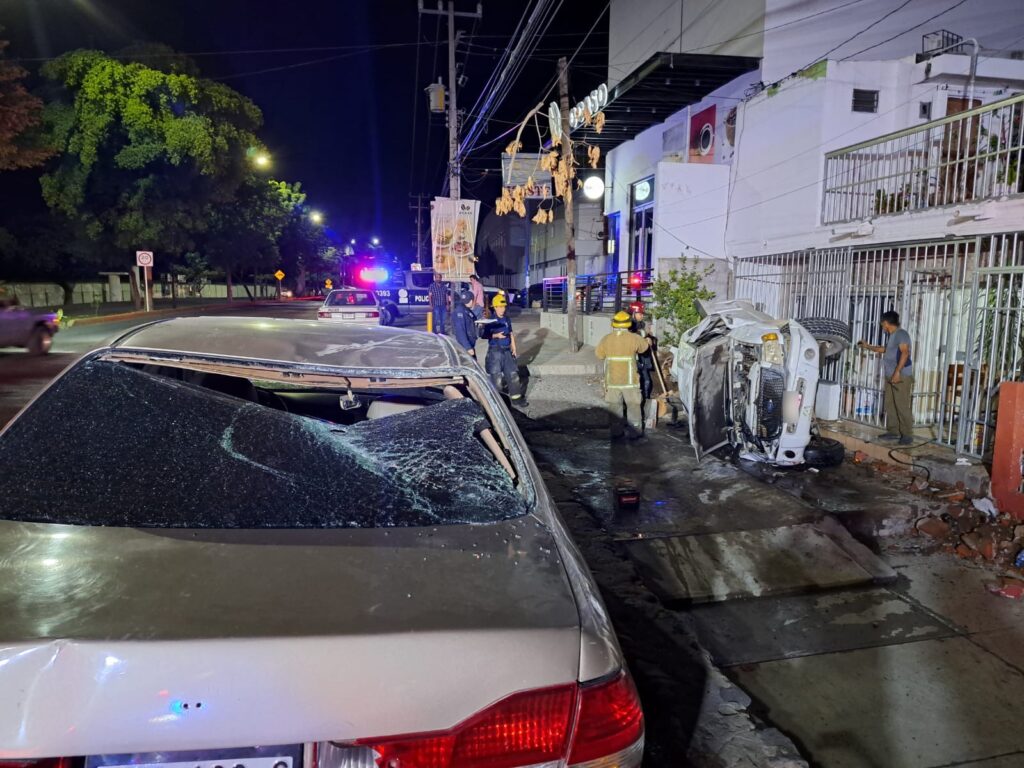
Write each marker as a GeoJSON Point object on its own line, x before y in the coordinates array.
{"type": "Point", "coordinates": [345, 126]}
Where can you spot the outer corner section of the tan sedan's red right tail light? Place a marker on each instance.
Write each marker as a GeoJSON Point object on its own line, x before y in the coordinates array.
{"type": "Point", "coordinates": [610, 723]}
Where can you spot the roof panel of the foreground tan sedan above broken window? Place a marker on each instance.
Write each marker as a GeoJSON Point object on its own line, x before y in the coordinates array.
{"type": "Point", "coordinates": [293, 342]}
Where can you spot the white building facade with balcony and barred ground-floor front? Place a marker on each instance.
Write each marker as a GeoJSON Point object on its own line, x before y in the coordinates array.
{"type": "Point", "coordinates": [851, 169]}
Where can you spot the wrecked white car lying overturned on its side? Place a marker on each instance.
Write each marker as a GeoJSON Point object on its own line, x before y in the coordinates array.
{"type": "Point", "coordinates": [749, 381]}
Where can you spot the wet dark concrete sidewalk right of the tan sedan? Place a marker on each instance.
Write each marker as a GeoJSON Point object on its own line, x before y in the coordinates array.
{"type": "Point", "coordinates": [923, 672]}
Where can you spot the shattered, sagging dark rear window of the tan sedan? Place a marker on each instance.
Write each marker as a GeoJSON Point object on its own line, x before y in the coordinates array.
{"type": "Point", "coordinates": [110, 445]}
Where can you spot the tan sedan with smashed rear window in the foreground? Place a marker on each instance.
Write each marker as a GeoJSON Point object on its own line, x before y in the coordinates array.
{"type": "Point", "coordinates": [285, 544]}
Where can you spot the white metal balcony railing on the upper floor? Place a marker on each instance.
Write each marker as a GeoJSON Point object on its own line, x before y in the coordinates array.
{"type": "Point", "coordinates": [964, 158]}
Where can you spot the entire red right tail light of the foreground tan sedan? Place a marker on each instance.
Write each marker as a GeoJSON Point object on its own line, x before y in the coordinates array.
{"type": "Point", "coordinates": [602, 722]}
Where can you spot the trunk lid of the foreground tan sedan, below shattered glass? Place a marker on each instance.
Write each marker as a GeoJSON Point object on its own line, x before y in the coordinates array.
{"type": "Point", "coordinates": [271, 636]}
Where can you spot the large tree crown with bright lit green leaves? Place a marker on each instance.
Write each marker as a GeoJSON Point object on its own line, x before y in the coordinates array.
{"type": "Point", "coordinates": [147, 155]}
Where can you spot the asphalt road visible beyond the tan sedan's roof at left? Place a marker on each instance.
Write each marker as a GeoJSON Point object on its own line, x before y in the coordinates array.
{"type": "Point", "coordinates": [22, 376]}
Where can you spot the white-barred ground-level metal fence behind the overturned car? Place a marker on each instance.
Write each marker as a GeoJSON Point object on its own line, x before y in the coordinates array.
{"type": "Point", "coordinates": [962, 302]}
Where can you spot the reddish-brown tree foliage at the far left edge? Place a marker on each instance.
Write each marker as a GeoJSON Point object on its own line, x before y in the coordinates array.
{"type": "Point", "coordinates": [21, 114]}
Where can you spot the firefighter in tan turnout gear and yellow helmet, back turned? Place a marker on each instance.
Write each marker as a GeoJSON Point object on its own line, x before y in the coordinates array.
{"type": "Point", "coordinates": [622, 383]}
